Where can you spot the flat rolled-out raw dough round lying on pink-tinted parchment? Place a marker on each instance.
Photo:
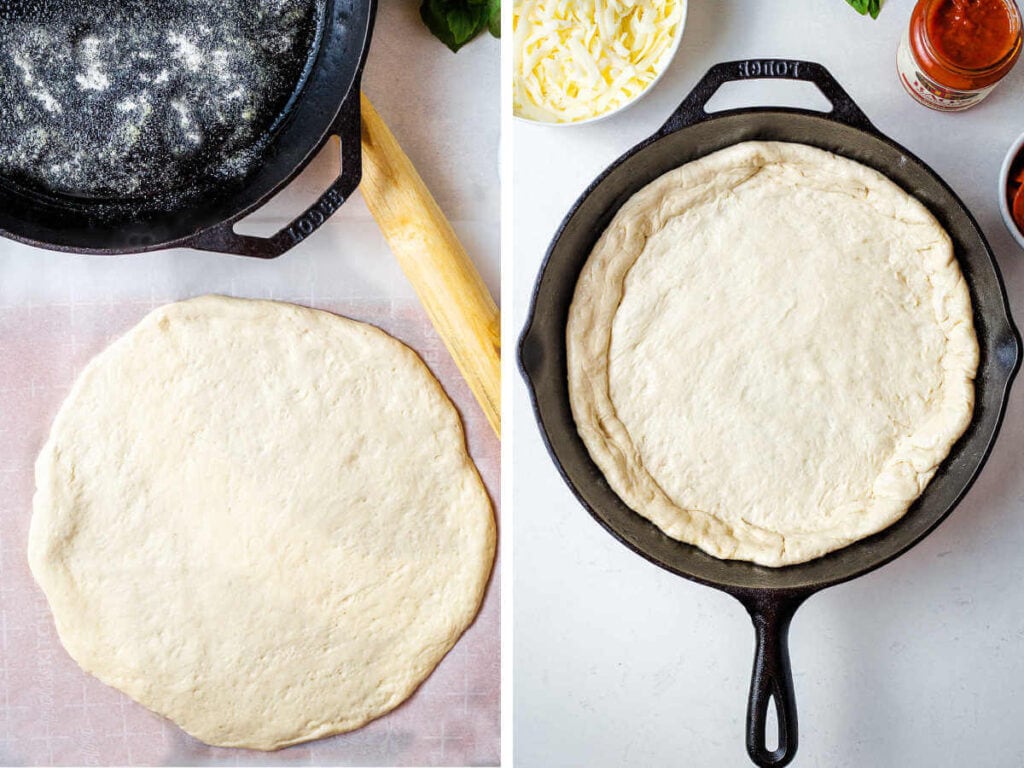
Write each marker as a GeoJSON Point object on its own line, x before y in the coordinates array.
{"type": "Point", "coordinates": [260, 521]}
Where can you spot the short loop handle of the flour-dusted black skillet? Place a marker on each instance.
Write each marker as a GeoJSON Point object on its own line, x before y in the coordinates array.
{"type": "Point", "coordinates": [224, 239]}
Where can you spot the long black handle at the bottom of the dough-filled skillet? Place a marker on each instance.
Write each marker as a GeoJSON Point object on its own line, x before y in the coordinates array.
{"type": "Point", "coordinates": [772, 681]}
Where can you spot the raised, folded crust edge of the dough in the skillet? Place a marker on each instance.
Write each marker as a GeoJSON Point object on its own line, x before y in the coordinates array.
{"type": "Point", "coordinates": [599, 293]}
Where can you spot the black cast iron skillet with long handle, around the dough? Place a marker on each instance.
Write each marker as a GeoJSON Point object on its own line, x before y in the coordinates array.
{"type": "Point", "coordinates": [771, 595]}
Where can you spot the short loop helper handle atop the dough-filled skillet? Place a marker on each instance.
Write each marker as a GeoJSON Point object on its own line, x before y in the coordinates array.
{"type": "Point", "coordinates": [693, 109]}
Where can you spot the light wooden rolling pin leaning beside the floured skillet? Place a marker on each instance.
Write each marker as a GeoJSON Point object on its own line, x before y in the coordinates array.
{"type": "Point", "coordinates": [434, 260]}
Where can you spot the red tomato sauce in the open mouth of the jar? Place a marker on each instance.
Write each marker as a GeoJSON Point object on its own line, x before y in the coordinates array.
{"type": "Point", "coordinates": [972, 34]}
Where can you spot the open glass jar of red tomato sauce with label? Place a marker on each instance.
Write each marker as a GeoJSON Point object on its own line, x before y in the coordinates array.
{"type": "Point", "coordinates": [955, 52]}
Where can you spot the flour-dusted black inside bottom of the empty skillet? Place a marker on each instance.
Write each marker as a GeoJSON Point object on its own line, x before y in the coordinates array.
{"type": "Point", "coordinates": [132, 99]}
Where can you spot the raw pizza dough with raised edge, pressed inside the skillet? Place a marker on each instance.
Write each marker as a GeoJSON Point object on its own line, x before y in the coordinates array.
{"type": "Point", "coordinates": [771, 352]}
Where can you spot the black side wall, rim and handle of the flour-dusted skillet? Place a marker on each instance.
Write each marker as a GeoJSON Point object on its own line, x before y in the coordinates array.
{"type": "Point", "coordinates": [326, 104]}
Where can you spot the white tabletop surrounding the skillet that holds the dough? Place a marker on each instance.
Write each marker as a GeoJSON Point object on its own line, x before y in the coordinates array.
{"type": "Point", "coordinates": [920, 664]}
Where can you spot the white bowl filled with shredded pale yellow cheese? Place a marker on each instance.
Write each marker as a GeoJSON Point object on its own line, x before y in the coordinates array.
{"type": "Point", "coordinates": [580, 61]}
